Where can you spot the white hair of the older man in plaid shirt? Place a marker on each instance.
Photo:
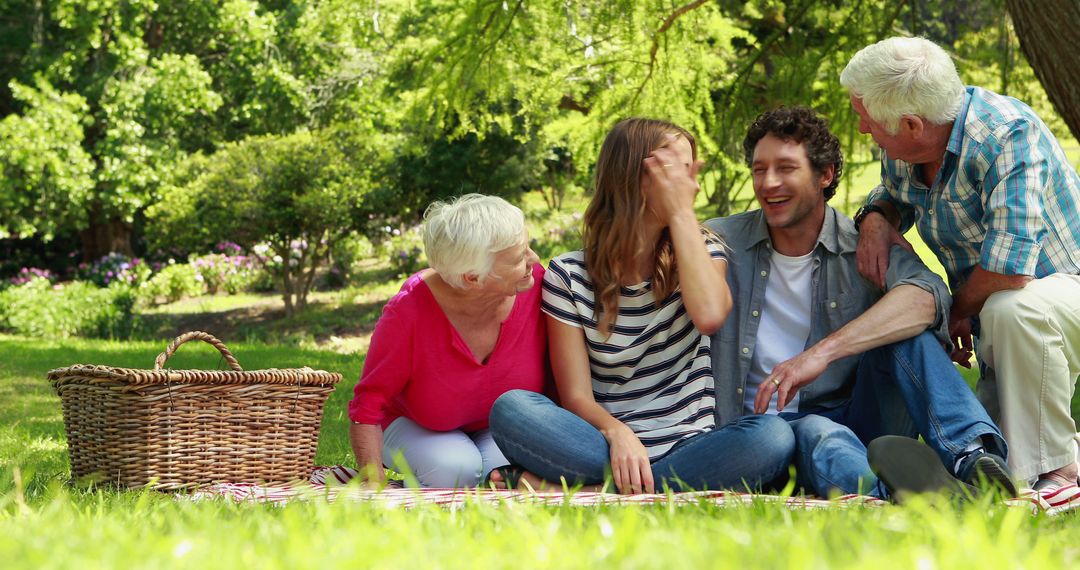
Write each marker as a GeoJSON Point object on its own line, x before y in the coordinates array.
{"type": "Point", "coordinates": [904, 77]}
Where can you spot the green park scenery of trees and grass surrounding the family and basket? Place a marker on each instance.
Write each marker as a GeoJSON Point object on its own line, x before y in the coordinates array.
{"type": "Point", "coordinates": [259, 170]}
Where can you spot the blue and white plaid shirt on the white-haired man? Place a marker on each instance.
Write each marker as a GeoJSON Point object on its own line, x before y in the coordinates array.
{"type": "Point", "coordinates": [1006, 197]}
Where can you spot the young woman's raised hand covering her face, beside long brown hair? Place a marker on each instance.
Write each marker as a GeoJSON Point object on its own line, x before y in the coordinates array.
{"type": "Point", "coordinates": [670, 183]}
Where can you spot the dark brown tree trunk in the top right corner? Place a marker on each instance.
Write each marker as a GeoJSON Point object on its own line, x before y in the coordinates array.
{"type": "Point", "coordinates": [1048, 35]}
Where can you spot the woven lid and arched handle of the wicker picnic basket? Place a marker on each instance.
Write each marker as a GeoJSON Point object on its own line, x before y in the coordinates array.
{"type": "Point", "coordinates": [160, 375]}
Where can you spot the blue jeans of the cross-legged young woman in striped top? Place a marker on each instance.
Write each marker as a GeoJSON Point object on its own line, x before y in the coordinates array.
{"type": "Point", "coordinates": [553, 443]}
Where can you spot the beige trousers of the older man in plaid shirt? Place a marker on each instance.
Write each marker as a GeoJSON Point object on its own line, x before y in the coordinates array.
{"type": "Point", "coordinates": [1030, 347]}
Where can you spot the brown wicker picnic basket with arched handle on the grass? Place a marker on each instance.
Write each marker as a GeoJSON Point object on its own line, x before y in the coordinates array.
{"type": "Point", "coordinates": [180, 429]}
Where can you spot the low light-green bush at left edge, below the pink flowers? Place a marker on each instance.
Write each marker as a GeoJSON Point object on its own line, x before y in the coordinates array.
{"type": "Point", "coordinates": [77, 309]}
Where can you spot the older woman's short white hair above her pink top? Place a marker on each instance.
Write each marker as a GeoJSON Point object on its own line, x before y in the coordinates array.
{"type": "Point", "coordinates": [463, 236]}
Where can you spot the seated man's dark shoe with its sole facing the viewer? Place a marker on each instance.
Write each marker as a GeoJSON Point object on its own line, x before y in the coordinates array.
{"type": "Point", "coordinates": [909, 468]}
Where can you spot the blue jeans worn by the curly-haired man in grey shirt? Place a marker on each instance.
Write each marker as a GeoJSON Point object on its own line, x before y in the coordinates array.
{"type": "Point", "coordinates": [909, 388]}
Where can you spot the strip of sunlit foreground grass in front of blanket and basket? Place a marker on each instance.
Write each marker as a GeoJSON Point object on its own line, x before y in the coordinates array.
{"type": "Point", "coordinates": [147, 530]}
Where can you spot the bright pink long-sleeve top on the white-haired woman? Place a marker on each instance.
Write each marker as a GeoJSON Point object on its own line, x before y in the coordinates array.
{"type": "Point", "coordinates": [418, 365]}
